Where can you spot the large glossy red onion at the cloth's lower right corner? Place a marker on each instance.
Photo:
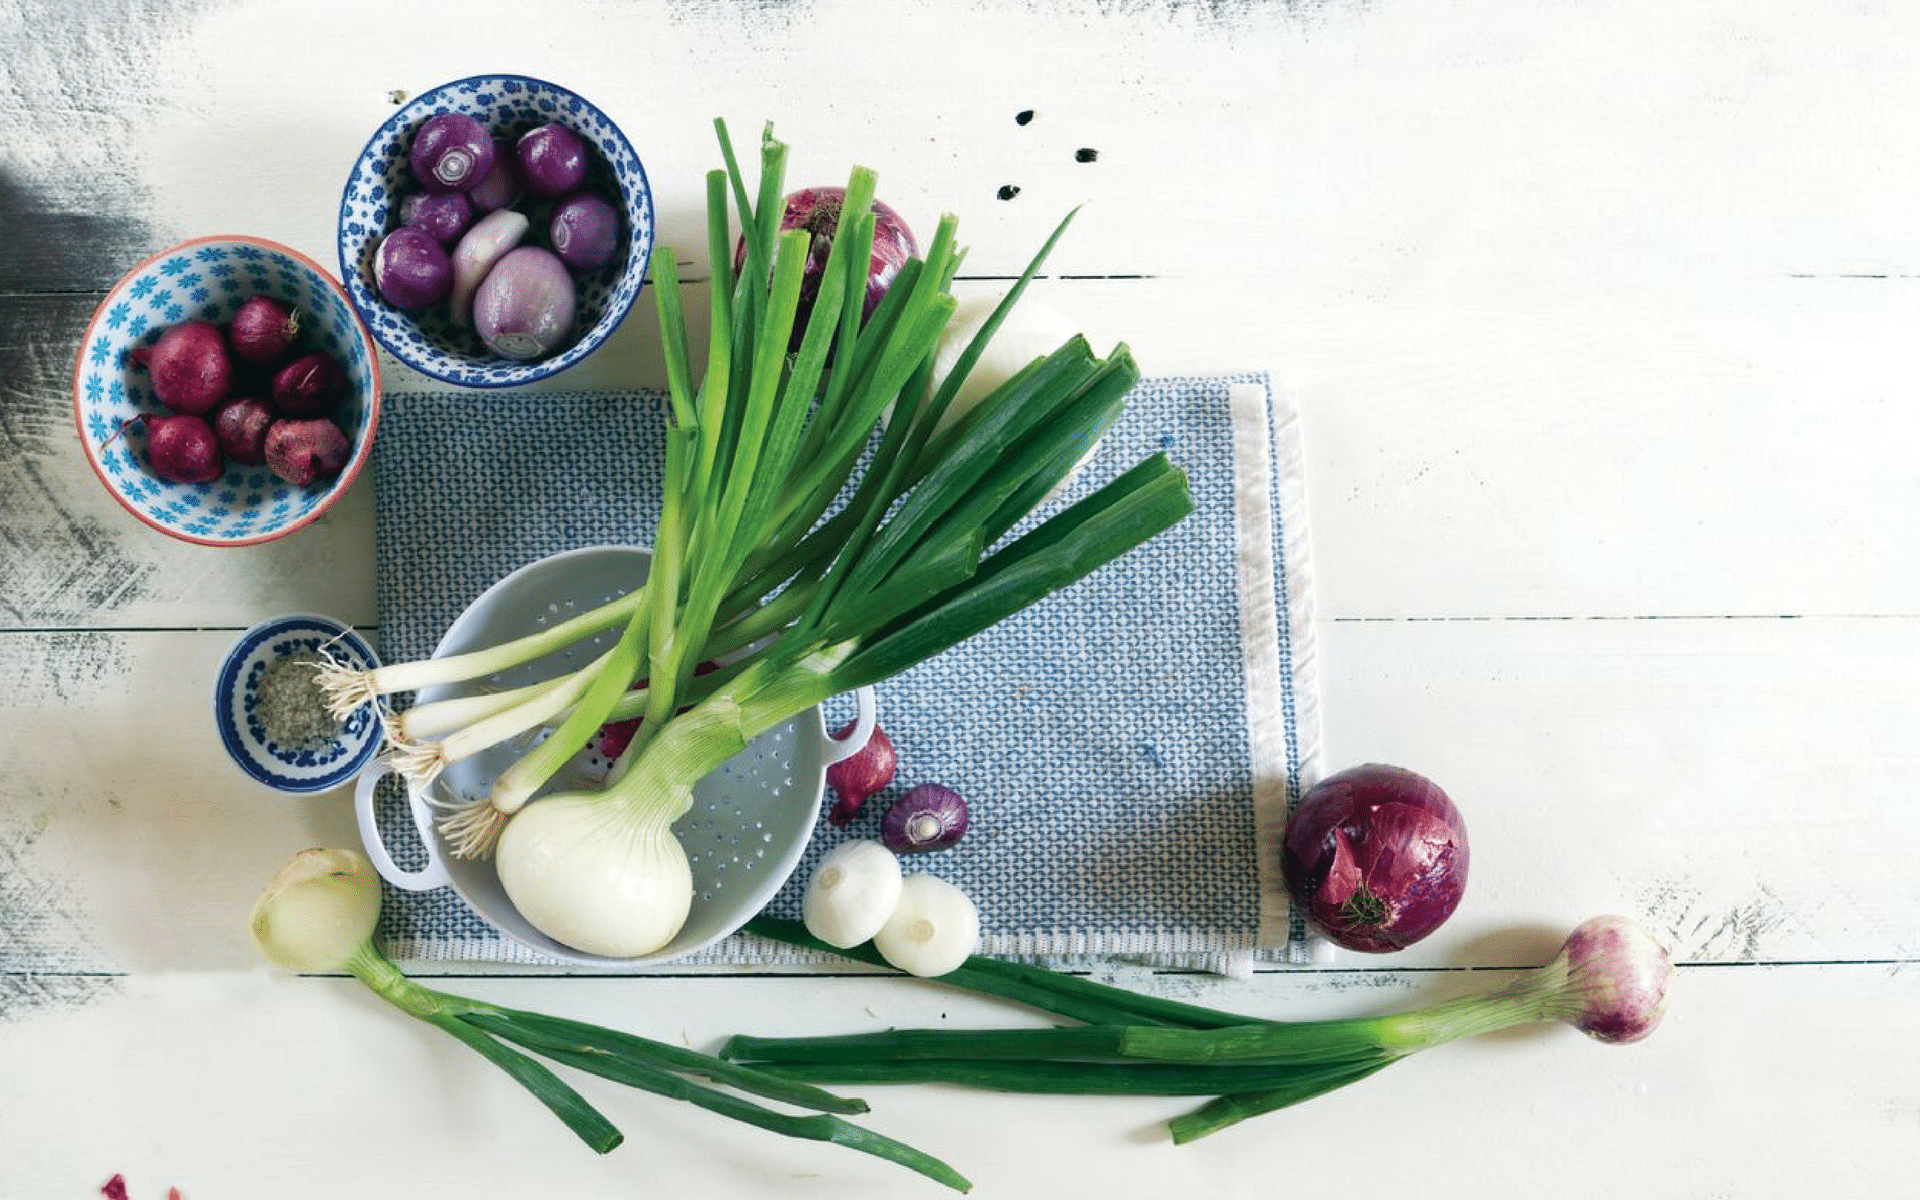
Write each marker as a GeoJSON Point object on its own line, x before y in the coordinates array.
{"type": "Point", "coordinates": [1376, 857]}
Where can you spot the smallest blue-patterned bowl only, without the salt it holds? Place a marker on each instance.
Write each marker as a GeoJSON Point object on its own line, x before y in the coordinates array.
{"type": "Point", "coordinates": [293, 769]}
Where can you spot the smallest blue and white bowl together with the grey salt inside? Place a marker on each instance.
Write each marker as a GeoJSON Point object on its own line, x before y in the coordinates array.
{"type": "Point", "coordinates": [270, 711]}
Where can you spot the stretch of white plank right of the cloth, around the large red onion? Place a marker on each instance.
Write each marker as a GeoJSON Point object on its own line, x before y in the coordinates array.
{"type": "Point", "coordinates": [1737, 784]}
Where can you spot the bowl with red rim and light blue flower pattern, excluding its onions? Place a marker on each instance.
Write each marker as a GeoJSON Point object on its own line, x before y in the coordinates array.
{"type": "Point", "coordinates": [212, 279]}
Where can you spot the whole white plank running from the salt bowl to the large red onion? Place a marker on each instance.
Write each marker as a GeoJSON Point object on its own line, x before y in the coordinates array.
{"type": "Point", "coordinates": [1719, 780]}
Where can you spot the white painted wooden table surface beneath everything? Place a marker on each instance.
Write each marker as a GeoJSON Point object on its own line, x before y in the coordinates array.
{"type": "Point", "coordinates": [1602, 325]}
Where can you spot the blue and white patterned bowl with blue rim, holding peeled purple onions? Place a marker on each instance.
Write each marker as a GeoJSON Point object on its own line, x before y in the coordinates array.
{"type": "Point", "coordinates": [508, 105]}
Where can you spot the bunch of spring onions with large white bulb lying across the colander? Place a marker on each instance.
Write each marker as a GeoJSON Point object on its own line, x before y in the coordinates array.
{"type": "Point", "coordinates": [794, 548]}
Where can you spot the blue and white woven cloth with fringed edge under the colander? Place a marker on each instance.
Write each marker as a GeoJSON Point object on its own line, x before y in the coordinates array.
{"type": "Point", "coordinates": [1128, 748]}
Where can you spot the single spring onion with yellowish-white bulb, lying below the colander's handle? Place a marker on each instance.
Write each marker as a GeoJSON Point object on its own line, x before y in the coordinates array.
{"type": "Point", "coordinates": [320, 915]}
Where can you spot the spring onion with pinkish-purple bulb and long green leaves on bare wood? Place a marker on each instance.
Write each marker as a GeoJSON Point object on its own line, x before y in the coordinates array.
{"type": "Point", "coordinates": [1610, 982]}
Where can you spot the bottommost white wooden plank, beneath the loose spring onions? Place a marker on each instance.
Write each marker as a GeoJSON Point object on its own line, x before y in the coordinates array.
{"type": "Point", "coordinates": [1764, 1082]}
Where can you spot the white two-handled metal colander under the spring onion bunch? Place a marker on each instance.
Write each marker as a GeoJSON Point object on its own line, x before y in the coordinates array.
{"type": "Point", "coordinates": [750, 821]}
